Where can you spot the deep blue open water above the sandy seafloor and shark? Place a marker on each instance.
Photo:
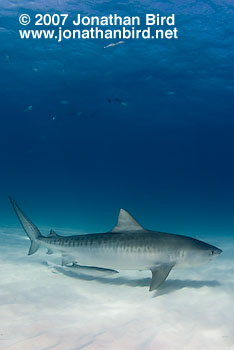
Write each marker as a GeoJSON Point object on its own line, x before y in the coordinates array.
{"type": "Point", "coordinates": [165, 154]}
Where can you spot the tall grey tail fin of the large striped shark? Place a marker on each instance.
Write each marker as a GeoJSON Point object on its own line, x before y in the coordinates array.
{"type": "Point", "coordinates": [32, 231]}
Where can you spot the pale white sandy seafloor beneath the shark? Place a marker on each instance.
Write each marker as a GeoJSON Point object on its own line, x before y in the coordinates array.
{"type": "Point", "coordinates": [42, 309]}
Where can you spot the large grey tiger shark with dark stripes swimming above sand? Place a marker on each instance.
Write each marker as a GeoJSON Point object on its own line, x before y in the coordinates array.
{"type": "Point", "coordinates": [128, 246]}
